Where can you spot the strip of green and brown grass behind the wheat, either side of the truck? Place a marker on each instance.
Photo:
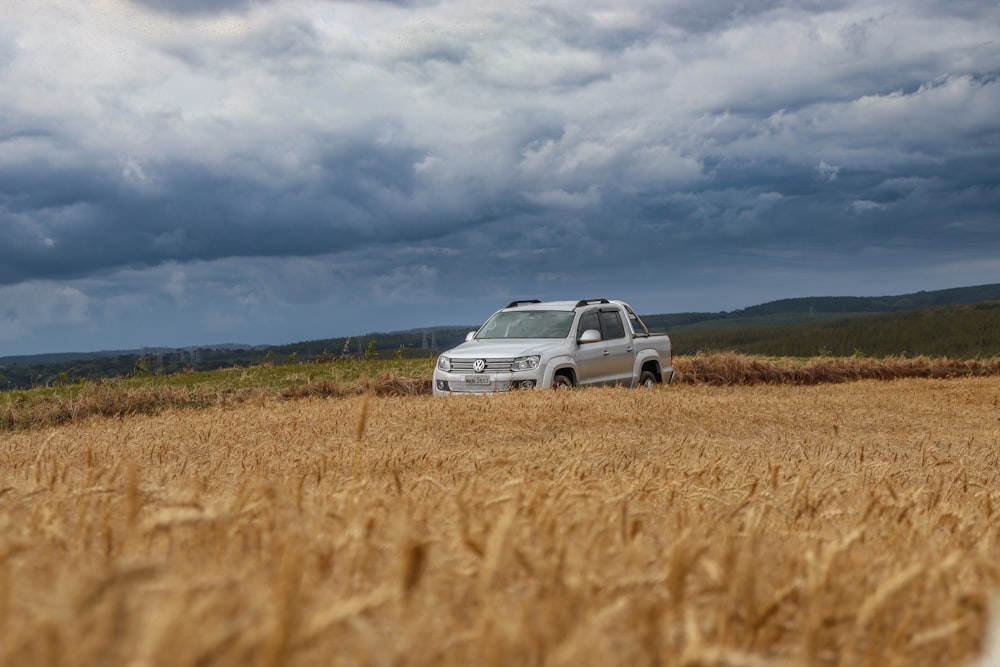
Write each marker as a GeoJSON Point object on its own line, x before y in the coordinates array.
{"type": "Point", "coordinates": [117, 398]}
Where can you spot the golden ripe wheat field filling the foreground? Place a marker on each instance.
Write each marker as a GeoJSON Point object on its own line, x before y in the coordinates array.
{"type": "Point", "coordinates": [839, 524]}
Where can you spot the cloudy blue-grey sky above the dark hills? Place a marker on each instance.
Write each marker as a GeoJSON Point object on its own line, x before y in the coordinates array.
{"type": "Point", "coordinates": [185, 172]}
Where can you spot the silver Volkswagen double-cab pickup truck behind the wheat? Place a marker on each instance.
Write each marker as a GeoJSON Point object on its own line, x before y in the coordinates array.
{"type": "Point", "coordinates": [559, 344]}
